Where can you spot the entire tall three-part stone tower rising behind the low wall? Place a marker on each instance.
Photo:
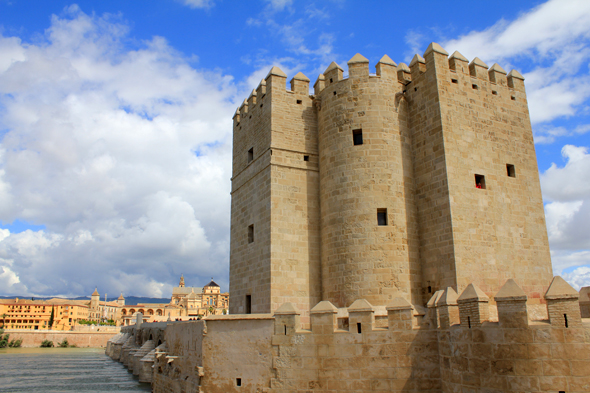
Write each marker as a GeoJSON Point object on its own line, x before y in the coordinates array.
{"type": "Point", "coordinates": [400, 183]}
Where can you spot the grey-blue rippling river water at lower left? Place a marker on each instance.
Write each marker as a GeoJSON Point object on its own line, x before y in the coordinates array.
{"type": "Point", "coordinates": [64, 370]}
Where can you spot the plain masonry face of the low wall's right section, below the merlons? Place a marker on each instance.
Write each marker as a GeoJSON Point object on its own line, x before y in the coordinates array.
{"type": "Point", "coordinates": [537, 358]}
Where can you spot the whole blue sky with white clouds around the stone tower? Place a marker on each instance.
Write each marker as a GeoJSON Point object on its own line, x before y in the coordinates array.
{"type": "Point", "coordinates": [115, 122]}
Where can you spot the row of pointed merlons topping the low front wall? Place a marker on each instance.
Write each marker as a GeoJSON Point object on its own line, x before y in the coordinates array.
{"type": "Point", "coordinates": [446, 309]}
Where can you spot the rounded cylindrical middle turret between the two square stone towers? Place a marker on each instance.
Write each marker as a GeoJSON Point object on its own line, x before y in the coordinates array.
{"type": "Point", "coordinates": [369, 243]}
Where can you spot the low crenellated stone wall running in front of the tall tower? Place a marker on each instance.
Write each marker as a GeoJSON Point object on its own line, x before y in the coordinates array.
{"type": "Point", "coordinates": [453, 348]}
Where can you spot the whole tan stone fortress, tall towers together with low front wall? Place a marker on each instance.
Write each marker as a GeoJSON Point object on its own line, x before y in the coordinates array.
{"type": "Point", "coordinates": [387, 235]}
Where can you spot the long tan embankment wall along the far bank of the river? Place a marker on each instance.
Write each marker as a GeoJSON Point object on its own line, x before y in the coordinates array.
{"type": "Point", "coordinates": [32, 339]}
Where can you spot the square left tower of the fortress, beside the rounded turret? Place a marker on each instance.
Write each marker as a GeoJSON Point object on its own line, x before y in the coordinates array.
{"type": "Point", "coordinates": [275, 221]}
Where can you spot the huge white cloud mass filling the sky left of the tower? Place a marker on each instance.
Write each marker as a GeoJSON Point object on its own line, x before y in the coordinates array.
{"type": "Point", "coordinates": [123, 154]}
